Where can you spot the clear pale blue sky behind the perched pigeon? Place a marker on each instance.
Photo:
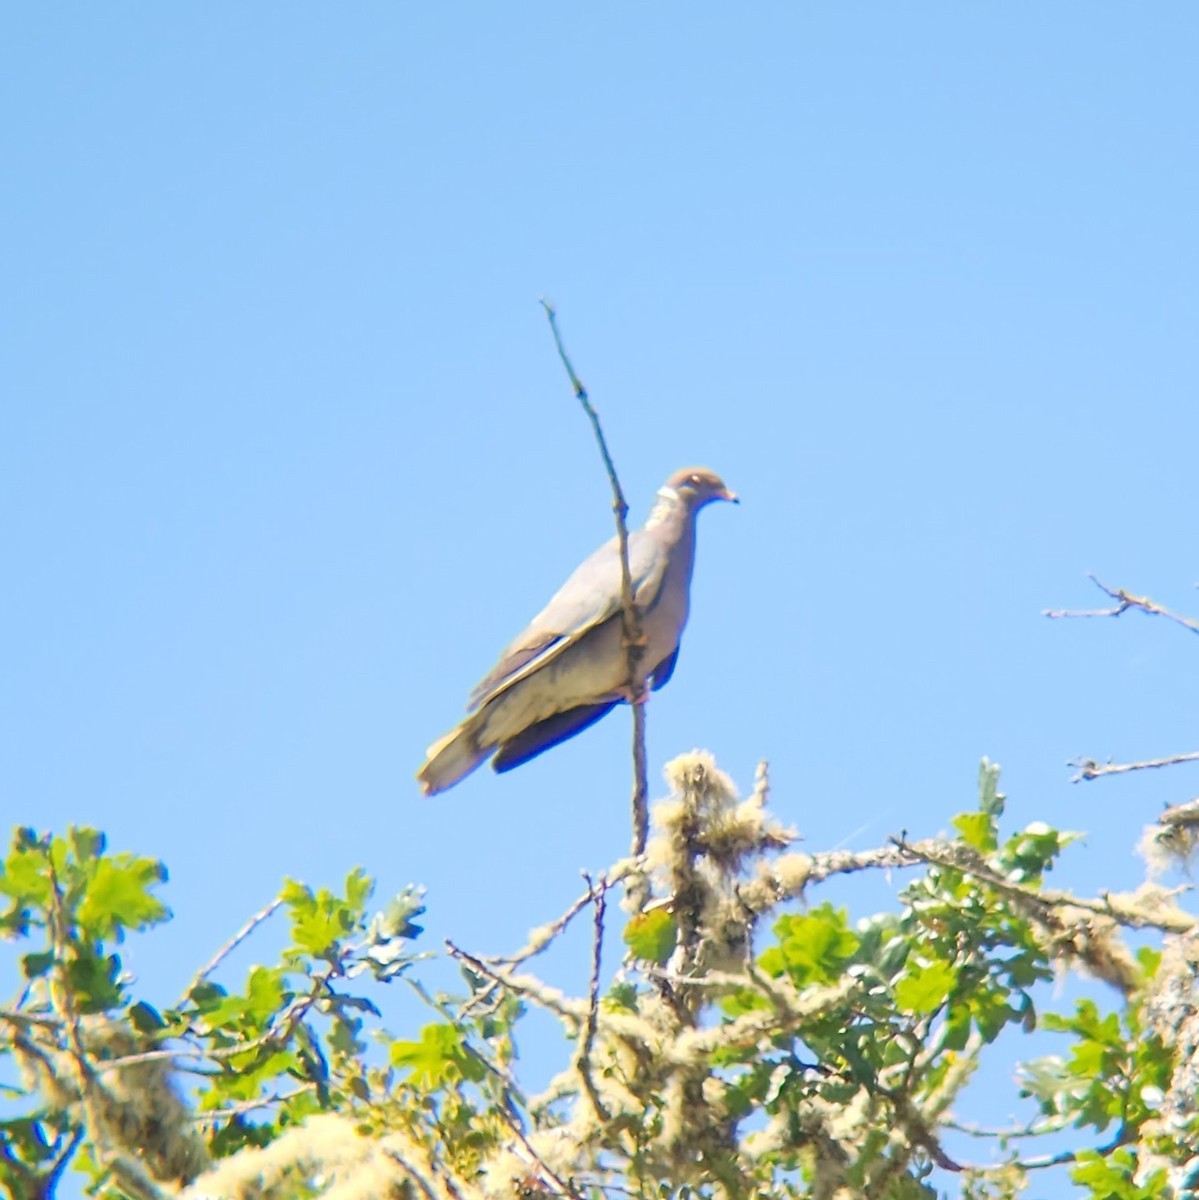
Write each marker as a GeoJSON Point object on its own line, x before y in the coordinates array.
{"type": "Point", "coordinates": [286, 455]}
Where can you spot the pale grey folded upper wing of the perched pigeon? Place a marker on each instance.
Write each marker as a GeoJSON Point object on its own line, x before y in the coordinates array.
{"type": "Point", "coordinates": [587, 599]}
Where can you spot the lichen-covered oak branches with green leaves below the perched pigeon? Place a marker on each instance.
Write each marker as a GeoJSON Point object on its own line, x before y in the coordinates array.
{"type": "Point", "coordinates": [745, 1047]}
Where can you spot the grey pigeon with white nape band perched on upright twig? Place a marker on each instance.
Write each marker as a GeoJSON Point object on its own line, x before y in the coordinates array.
{"type": "Point", "coordinates": [571, 667]}
